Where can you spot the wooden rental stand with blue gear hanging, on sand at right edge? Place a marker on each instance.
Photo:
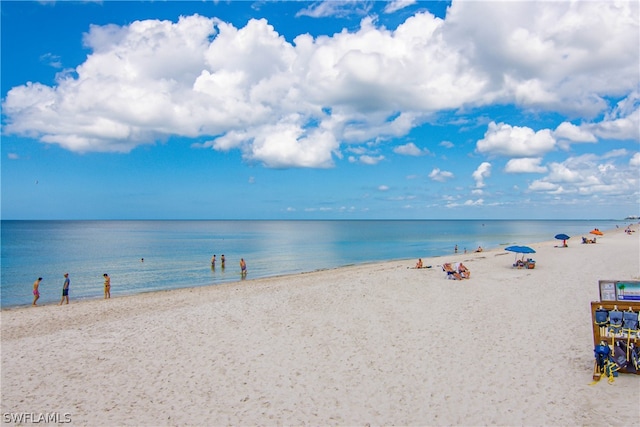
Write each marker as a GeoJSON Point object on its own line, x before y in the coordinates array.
{"type": "Point", "coordinates": [615, 324]}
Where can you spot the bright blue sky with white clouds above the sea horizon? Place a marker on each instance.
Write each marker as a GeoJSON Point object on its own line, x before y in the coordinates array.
{"type": "Point", "coordinates": [320, 110]}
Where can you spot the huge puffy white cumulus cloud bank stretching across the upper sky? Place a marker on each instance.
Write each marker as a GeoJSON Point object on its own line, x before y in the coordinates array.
{"type": "Point", "coordinates": [299, 103]}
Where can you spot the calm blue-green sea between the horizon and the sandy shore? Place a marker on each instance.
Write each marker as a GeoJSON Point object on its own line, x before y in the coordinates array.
{"type": "Point", "coordinates": [177, 254]}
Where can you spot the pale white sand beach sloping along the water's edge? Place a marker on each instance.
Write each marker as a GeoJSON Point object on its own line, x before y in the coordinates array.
{"type": "Point", "coordinates": [377, 344]}
